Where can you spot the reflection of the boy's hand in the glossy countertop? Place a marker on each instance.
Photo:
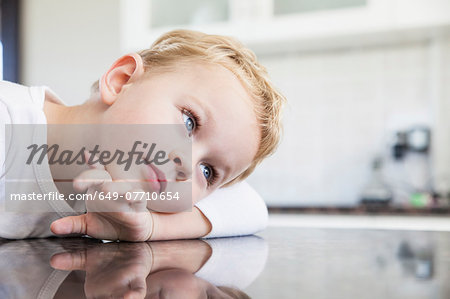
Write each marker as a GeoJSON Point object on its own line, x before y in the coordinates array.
{"type": "Point", "coordinates": [112, 270]}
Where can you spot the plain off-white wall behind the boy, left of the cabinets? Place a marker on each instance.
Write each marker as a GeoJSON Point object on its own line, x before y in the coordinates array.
{"type": "Point", "coordinates": [67, 44]}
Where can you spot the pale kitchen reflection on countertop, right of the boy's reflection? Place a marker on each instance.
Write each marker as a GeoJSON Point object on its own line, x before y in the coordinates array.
{"type": "Point", "coordinates": [323, 263]}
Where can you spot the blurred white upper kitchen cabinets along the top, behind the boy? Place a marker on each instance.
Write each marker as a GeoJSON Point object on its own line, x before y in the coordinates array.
{"type": "Point", "coordinates": [287, 25]}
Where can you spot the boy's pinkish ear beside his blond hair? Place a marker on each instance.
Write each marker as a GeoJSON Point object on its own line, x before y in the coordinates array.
{"type": "Point", "coordinates": [125, 70]}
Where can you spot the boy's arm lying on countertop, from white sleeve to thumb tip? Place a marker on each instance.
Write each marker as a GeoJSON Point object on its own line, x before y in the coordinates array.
{"type": "Point", "coordinates": [233, 211]}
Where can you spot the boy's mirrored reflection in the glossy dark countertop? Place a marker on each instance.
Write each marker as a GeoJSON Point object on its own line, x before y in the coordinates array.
{"type": "Point", "coordinates": [83, 267]}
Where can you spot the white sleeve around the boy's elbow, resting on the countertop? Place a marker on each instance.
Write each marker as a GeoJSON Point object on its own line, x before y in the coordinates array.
{"type": "Point", "coordinates": [234, 211]}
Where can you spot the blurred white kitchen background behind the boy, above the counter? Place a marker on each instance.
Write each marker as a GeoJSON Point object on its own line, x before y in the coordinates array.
{"type": "Point", "coordinates": [367, 126]}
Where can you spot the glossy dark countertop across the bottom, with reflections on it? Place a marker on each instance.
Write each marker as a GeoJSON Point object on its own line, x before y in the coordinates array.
{"type": "Point", "coordinates": [282, 262]}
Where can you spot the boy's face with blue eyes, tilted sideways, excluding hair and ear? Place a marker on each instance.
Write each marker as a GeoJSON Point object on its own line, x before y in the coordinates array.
{"type": "Point", "coordinates": [214, 108]}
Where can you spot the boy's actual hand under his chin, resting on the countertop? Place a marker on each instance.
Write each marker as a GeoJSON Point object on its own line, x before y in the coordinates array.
{"type": "Point", "coordinates": [107, 219]}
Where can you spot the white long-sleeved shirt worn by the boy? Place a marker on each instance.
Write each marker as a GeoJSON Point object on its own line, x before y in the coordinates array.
{"type": "Point", "coordinates": [232, 211]}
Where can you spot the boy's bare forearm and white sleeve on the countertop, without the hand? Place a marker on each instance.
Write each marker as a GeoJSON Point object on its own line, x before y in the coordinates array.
{"type": "Point", "coordinates": [233, 211]}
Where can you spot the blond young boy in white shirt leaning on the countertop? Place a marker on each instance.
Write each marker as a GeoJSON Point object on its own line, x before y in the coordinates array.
{"type": "Point", "coordinates": [210, 84]}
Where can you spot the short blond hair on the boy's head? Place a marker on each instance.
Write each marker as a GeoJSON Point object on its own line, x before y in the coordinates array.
{"type": "Point", "coordinates": [188, 45]}
